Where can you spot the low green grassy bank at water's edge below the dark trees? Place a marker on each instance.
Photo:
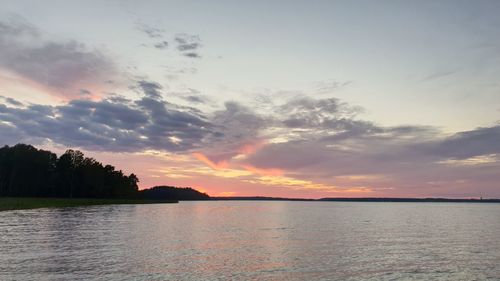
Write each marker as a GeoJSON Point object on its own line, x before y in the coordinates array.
{"type": "Point", "coordinates": [19, 203]}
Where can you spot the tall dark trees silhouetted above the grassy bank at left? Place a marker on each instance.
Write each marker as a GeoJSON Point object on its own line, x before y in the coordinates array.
{"type": "Point", "coordinates": [28, 171]}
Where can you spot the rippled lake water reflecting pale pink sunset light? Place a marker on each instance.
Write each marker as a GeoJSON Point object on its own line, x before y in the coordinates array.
{"type": "Point", "coordinates": [253, 241]}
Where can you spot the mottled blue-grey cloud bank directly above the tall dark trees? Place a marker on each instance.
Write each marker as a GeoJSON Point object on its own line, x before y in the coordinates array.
{"type": "Point", "coordinates": [114, 124]}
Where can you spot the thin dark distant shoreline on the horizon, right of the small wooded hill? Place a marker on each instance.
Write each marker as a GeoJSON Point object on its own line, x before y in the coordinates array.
{"type": "Point", "coordinates": [366, 199]}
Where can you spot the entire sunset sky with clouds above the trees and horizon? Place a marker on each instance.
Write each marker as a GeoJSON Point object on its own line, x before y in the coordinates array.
{"type": "Point", "coordinates": [302, 99]}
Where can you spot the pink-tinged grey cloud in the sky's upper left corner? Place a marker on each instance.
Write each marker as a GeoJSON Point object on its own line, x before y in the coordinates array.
{"type": "Point", "coordinates": [59, 65]}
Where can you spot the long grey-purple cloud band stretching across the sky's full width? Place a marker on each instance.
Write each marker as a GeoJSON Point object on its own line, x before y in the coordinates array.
{"type": "Point", "coordinates": [318, 130]}
